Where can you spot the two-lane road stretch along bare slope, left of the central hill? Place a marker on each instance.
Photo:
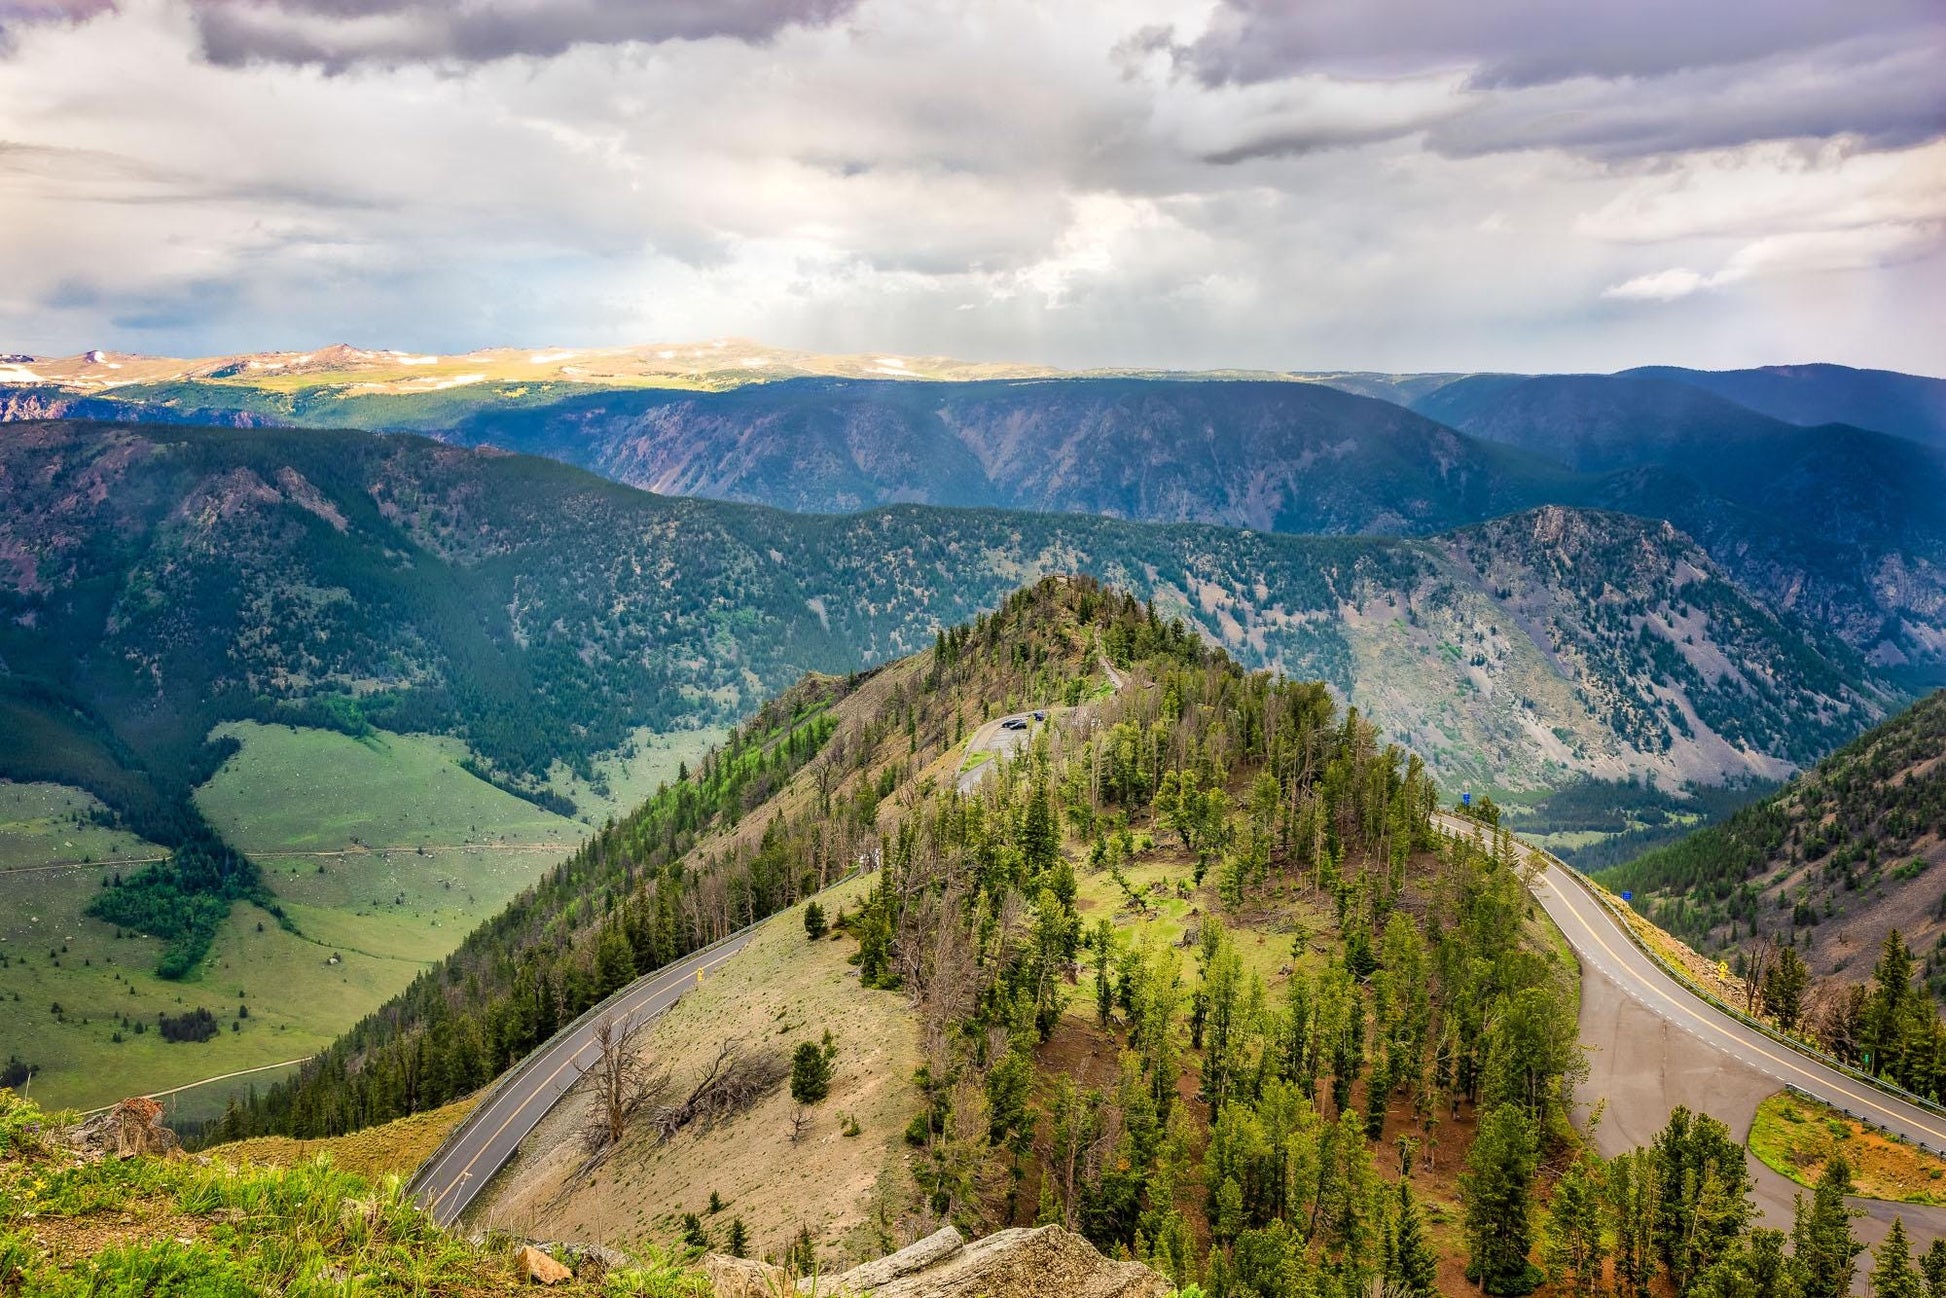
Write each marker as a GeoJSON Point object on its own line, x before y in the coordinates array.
{"type": "Point", "coordinates": [493, 1132]}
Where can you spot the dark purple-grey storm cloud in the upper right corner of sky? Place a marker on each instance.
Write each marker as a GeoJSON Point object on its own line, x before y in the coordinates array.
{"type": "Point", "coordinates": [1606, 81]}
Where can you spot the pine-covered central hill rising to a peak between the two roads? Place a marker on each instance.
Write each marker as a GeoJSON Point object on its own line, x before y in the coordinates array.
{"type": "Point", "coordinates": [1194, 807]}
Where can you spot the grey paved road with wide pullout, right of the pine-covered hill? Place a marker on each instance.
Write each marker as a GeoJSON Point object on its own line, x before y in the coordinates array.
{"type": "Point", "coordinates": [1655, 1044]}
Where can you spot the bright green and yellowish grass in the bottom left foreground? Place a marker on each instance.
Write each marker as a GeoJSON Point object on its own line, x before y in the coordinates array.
{"type": "Point", "coordinates": [205, 1229]}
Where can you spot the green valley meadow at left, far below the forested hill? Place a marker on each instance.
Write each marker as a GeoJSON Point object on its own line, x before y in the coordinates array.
{"type": "Point", "coordinates": [384, 851]}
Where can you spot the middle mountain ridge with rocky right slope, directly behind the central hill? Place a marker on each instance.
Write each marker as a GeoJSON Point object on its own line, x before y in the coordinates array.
{"type": "Point", "coordinates": [162, 579]}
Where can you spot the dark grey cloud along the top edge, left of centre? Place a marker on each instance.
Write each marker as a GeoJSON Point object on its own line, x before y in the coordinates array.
{"type": "Point", "coordinates": [340, 34]}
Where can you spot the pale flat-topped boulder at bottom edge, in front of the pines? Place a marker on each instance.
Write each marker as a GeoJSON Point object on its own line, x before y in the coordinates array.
{"type": "Point", "coordinates": [1011, 1264]}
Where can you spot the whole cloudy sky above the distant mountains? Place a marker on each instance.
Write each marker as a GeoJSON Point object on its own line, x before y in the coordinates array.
{"type": "Point", "coordinates": [1229, 184]}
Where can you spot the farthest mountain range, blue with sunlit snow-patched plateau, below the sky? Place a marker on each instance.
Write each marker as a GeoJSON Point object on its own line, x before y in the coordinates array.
{"type": "Point", "coordinates": [1836, 523]}
